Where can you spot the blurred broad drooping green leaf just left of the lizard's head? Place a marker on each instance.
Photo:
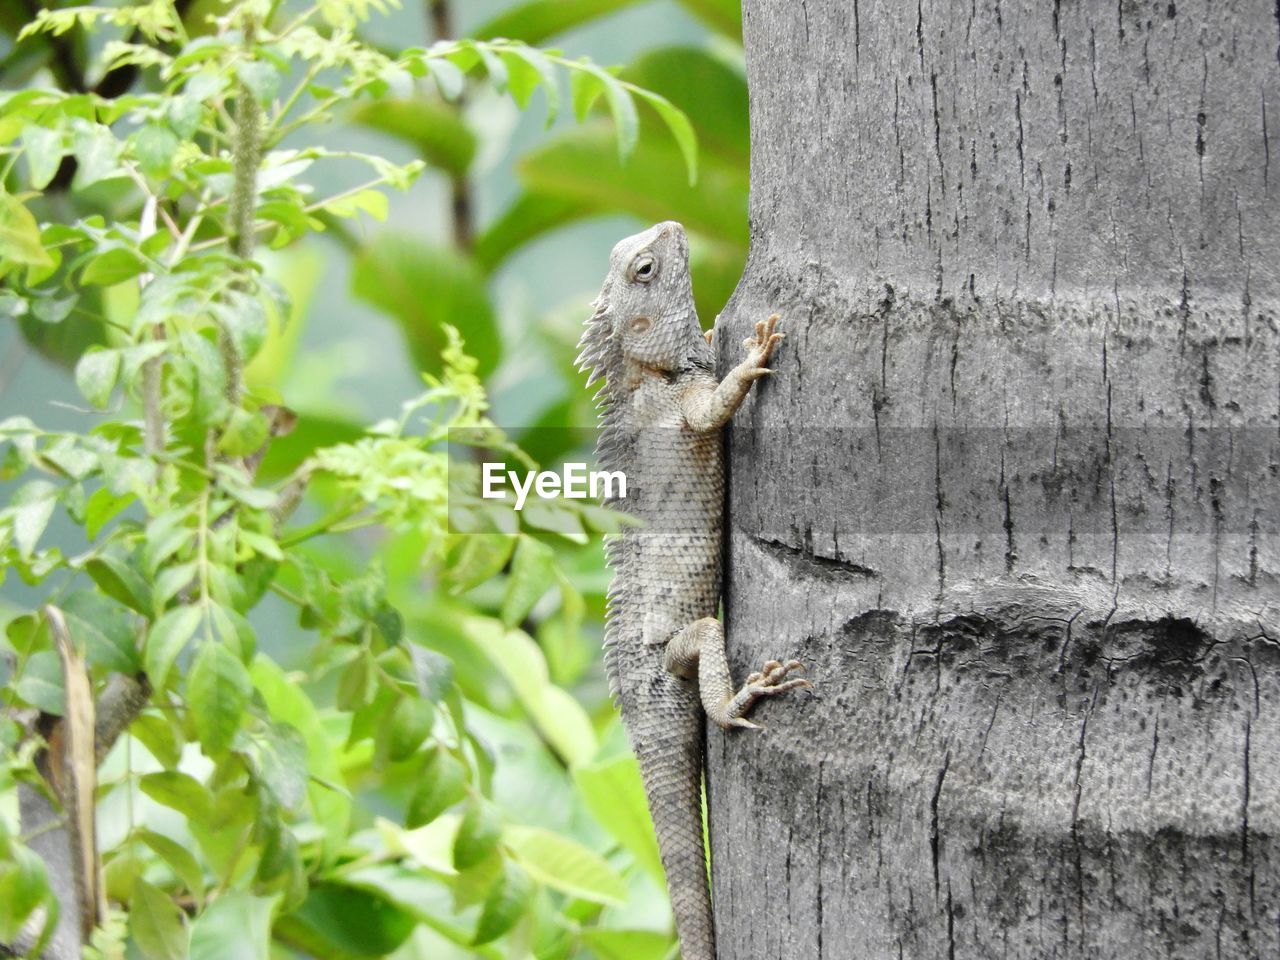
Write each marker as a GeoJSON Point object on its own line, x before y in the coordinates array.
{"type": "Point", "coordinates": [424, 289]}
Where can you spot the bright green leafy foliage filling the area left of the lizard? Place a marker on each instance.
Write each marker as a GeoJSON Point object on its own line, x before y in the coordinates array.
{"type": "Point", "coordinates": [374, 796]}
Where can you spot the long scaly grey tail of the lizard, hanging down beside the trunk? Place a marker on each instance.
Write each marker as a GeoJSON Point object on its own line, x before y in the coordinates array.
{"type": "Point", "coordinates": [670, 751]}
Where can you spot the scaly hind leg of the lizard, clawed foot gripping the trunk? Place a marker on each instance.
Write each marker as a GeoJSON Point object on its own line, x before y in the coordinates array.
{"type": "Point", "coordinates": [700, 651]}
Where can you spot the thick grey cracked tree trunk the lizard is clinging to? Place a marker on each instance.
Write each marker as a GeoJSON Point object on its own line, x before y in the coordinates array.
{"type": "Point", "coordinates": [1014, 491]}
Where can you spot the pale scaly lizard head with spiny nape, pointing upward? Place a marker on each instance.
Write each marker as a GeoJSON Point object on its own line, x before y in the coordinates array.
{"type": "Point", "coordinates": [646, 317]}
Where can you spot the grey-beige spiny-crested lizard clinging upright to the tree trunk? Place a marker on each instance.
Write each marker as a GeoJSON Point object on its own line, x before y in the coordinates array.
{"type": "Point", "coordinates": [662, 414]}
